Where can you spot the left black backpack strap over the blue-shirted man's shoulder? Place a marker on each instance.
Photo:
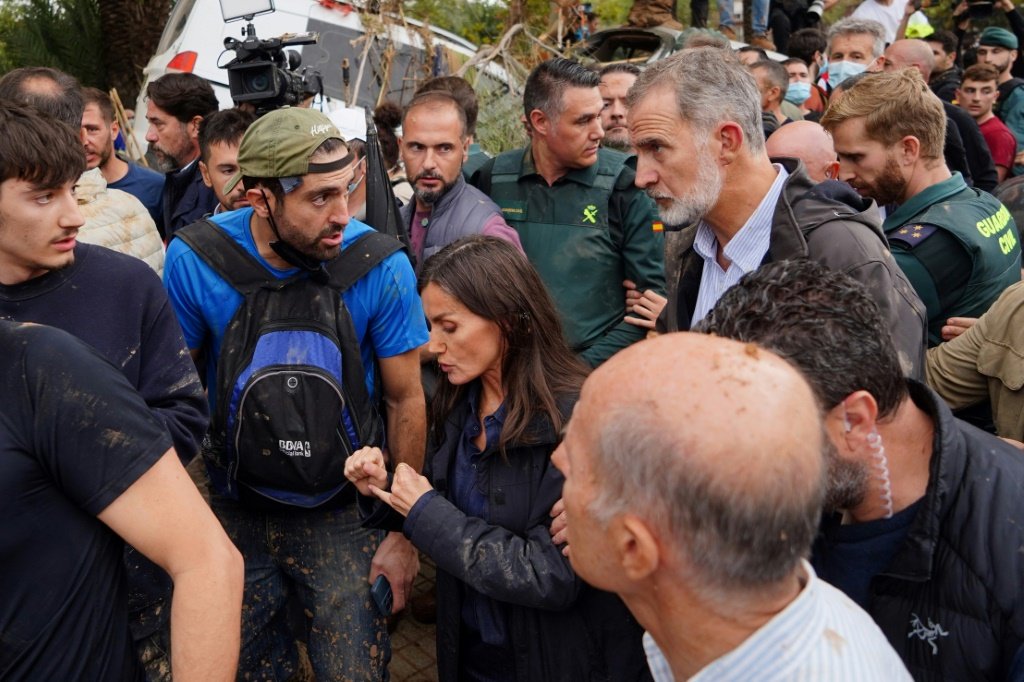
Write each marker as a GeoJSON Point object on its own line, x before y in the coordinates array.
{"type": "Point", "coordinates": [228, 259]}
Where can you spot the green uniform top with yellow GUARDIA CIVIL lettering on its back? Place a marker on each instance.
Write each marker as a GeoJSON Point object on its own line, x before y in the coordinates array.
{"type": "Point", "coordinates": [980, 254]}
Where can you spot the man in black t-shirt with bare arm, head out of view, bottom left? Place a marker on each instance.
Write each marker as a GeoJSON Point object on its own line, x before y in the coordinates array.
{"type": "Point", "coordinates": [86, 461]}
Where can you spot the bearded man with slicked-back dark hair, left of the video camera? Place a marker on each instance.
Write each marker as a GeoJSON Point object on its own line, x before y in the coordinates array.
{"type": "Point", "coordinates": [177, 106]}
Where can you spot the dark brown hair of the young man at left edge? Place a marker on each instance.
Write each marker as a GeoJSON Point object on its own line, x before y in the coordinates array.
{"type": "Point", "coordinates": [38, 148]}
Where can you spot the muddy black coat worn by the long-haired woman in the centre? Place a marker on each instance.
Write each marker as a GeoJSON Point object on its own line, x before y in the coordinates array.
{"type": "Point", "coordinates": [560, 627]}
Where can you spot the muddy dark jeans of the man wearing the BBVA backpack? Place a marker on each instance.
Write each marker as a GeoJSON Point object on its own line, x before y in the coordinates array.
{"type": "Point", "coordinates": [322, 558]}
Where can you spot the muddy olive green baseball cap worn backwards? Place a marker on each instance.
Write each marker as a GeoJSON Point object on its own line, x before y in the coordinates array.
{"type": "Point", "coordinates": [280, 145]}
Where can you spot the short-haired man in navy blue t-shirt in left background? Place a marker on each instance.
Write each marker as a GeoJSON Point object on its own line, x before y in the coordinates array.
{"type": "Point", "coordinates": [100, 130]}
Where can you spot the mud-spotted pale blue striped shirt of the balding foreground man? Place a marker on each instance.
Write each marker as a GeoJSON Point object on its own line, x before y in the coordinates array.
{"type": "Point", "coordinates": [822, 636]}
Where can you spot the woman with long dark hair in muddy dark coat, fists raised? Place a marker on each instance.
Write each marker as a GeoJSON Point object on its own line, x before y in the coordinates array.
{"type": "Point", "coordinates": [509, 606]}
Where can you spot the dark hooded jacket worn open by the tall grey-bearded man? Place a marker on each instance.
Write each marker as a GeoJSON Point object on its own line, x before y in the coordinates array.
{"type": "Point", "coordinates": [834, 226]}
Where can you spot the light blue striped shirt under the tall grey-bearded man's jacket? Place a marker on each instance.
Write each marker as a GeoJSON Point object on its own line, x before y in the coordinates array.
{"type": "Point", "coordinates": [745, 251]}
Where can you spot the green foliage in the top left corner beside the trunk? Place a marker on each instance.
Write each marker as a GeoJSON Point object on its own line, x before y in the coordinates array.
{"type": "Point", "coordinates": [62, 34]}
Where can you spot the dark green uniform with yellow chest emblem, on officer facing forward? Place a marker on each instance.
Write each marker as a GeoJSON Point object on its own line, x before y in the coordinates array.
{"type": "Point", "coordinates": [585, 234]}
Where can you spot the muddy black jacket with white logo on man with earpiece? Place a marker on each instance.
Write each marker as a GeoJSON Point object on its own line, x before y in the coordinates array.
{"type": "Point", "coordinates": [952, 602]}
